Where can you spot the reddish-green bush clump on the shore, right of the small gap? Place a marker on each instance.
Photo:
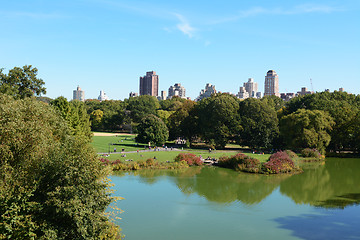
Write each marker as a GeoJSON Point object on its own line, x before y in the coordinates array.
{"type": "Point", "coordinates": [279, 162]}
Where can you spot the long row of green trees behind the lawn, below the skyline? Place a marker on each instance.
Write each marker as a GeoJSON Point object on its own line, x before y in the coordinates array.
{"type": "Point", "coordinates": [326, 121]}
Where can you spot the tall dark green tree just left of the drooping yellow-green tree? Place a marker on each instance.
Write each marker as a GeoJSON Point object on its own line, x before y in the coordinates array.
{"type": "Point", "coordinates": [259, 123]}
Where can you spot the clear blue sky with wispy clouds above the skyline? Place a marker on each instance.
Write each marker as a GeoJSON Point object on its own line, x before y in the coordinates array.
{"type": "Point", "coordinates": [108, 45]}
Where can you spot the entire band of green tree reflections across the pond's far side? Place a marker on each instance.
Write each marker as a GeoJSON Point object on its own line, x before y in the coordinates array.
{"type": "Point", "coordinates": [331, 185]}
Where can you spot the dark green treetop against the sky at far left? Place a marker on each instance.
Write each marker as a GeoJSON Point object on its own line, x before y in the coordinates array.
{"type": "Point", "coordinates": [21, 82]}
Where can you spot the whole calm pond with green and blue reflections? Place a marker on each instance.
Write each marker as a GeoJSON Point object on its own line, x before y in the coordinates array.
{"type": "Point", "coordinates": [214, 203]}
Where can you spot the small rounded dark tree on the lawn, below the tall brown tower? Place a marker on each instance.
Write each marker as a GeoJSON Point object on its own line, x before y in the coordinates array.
{"type": "Point", "coordinates": [152, 129]}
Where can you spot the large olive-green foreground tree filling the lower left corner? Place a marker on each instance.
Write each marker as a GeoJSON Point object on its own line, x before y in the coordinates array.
{"type": "Point", "coordinates": [52, 185]}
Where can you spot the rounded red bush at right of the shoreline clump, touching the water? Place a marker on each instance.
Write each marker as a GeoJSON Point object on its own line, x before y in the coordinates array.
{"type": "Point", "coordinates": [279, 162]}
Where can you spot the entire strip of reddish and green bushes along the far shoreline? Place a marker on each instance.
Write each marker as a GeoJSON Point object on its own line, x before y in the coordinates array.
{"type": "Point", "coordinates": [278, 163]}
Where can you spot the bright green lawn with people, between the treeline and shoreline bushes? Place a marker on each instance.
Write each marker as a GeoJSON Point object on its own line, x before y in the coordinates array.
{"type": "Point", "coordinates": [127, 142]}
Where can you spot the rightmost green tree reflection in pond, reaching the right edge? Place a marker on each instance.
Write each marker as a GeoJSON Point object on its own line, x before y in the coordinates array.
{"type": "Point", "coordinates": [332, 185]}
